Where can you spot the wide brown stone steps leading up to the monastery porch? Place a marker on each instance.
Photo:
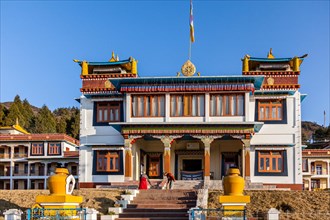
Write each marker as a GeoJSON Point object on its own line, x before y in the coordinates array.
{"type": "Point", "coordinates": [159, 204]}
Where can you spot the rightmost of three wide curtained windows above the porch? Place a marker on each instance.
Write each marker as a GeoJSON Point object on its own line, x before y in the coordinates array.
{"type": "Point", "coordinates": [227, 105]}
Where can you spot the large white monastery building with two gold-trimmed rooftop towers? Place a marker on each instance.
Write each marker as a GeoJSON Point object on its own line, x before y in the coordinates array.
{"type": "Point", "coordinates": [193, 126]}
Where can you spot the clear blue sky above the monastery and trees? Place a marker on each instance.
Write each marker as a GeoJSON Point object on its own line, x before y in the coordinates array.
{"type": "Point", "coordinates": [39, 40]}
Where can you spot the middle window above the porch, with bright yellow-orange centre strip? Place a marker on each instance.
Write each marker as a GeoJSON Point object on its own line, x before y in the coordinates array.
{"type": "Point", "coordinates": [187, 105]}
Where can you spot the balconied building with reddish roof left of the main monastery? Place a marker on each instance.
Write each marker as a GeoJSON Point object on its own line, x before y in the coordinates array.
{"type": "Point", "coordinates": [27, 160]}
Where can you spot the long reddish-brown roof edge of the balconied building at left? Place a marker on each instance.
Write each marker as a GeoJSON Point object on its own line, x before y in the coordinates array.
{"type": "Point", "coordinates": [38, 137]}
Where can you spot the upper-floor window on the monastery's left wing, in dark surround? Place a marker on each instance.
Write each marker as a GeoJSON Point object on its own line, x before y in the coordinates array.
{"type": "Point", "coordinates": [107, 111]}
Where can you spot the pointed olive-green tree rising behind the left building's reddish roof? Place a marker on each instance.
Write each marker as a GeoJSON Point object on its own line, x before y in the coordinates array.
{"type": "Point", "coordinates": [45, 121]}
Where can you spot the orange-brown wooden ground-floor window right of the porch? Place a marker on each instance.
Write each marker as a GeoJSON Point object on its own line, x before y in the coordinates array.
{"type": "Point", "coordinates": [270, 161]}
